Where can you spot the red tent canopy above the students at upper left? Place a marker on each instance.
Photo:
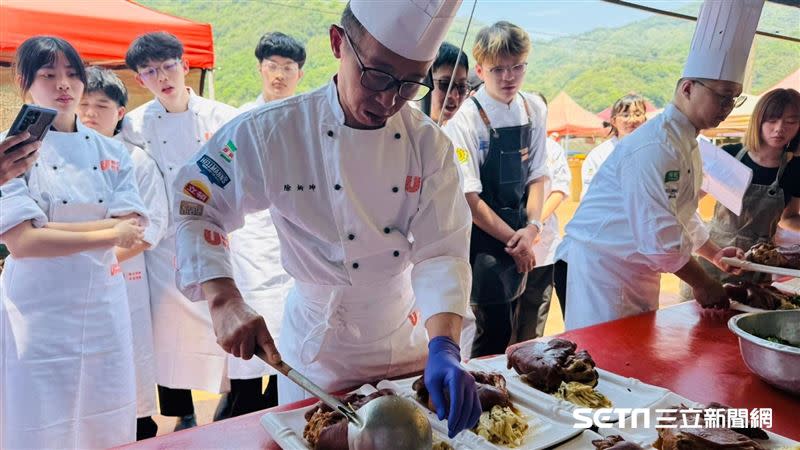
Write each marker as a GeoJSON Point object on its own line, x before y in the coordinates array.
{"type": "Point", "coordinates": [100, 30]}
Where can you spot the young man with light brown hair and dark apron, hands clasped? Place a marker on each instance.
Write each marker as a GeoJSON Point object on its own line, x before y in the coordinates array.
{"type": "Point", "coordinates": [499, 136]}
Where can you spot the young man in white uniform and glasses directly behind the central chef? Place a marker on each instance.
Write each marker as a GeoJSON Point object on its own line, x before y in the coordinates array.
{"type": "Point", "coordinates": [255, 248]}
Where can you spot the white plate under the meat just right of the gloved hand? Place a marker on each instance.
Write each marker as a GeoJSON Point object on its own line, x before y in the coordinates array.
{"type": "Point", "coordinates": [623, 392]}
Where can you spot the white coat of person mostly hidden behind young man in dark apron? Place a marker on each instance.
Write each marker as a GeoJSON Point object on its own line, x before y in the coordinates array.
{"type": "Point", "coordinates": [558, 181]}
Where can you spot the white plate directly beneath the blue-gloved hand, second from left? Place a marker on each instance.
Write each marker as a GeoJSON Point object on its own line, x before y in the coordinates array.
{"type": "Point", "coordinates": [547, 427]}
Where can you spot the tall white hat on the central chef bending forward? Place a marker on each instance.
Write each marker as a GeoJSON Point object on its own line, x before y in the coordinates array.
{"type": "Point", "coordinates": [413, 29]}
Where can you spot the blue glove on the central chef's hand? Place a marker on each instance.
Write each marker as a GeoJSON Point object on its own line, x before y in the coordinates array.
{"type": "Point", "coordinates": [444, 373]}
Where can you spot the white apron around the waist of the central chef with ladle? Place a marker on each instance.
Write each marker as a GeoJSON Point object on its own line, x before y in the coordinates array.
{"type": "Point", "coordinates": [369, 325]}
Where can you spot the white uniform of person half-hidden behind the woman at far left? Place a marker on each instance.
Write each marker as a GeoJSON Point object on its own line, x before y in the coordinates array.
{"type": "Point", "coordinates": [134, 270]}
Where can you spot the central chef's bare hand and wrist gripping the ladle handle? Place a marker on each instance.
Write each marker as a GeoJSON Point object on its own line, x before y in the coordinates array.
{"type": "Point", "coordinates": [239, 328]}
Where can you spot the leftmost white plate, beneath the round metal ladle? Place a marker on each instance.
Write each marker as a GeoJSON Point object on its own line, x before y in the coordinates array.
{"type": "Point", "coordinates": [286, 428]}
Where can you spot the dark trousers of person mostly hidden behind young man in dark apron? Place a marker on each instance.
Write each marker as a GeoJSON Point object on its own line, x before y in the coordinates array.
{"type": "Point", "coordinates": [533, 305]}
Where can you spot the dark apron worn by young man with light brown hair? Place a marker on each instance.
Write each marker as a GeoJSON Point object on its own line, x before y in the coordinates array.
{"type": "Point", "coordinates": [504, 175]}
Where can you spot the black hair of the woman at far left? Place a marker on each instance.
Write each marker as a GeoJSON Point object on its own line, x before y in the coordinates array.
{"type": "Point", "coordinates": [39, 51]}
